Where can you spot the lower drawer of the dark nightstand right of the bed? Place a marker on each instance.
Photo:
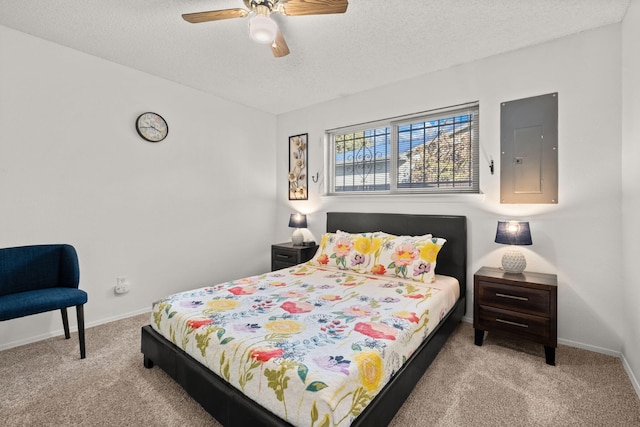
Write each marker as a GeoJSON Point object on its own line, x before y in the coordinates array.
{"type": "Point", "coordinates": [535, 328]}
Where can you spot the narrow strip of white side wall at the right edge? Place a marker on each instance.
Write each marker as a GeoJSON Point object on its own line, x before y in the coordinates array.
{"type": "Point", "coordinates": [631, 186]}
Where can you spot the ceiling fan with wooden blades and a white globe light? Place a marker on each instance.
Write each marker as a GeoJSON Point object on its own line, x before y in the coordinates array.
{"type": "Point", "coordinates": [262, 28]}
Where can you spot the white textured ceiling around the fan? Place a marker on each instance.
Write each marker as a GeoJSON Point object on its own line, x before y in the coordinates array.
{"type": "Point", "coordinates": [377, 42]}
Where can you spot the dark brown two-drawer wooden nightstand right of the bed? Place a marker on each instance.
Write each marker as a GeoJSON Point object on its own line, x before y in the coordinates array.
{"type": "Point", "coordinates": [523, 305]}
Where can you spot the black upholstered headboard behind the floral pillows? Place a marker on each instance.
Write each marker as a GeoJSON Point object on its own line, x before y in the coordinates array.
{"type": "Point", "coordinates": [452, 259]}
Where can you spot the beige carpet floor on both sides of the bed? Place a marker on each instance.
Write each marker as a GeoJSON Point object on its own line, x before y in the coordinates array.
{"type": "Point", "coordinates": [502, 383]}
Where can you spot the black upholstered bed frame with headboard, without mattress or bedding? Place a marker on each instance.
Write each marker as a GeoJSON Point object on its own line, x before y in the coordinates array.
{"type": "Point", "coordinates": [233, 409]}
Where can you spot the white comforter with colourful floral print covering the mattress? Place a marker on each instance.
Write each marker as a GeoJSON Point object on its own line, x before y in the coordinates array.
{"type": "Point", "coordinates": [313, 345]}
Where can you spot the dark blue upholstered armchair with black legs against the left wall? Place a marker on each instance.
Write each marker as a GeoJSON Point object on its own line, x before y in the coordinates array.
{"type": "Point", "coordinates": [40, 278]}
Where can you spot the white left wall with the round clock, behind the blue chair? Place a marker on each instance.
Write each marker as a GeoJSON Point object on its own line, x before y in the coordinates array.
{"type": "Point", "coordinates": [168, 216]}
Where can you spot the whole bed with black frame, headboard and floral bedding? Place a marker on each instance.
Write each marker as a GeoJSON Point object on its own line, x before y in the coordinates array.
{"type": "Point", "coordinates": [226, 401]}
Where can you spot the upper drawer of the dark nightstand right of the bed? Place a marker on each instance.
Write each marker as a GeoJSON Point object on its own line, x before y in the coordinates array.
{"type": "Point", "coordinates": [513, 297]}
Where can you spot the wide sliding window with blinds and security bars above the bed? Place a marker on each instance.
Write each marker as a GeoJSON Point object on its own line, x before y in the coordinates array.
{"type": "Point", "coordinates": [434, 152]}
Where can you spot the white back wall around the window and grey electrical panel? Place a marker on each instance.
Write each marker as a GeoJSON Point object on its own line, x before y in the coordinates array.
{"type": "Point", "coordinates": [579, 238]}
